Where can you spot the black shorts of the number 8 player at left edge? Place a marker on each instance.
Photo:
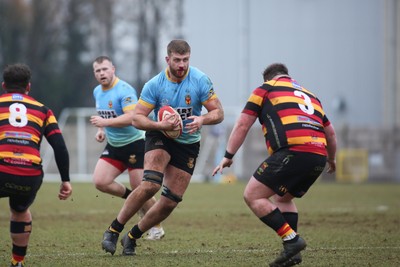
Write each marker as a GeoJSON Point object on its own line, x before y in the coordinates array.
{"type": "Point", "coordinates": [21, 190]}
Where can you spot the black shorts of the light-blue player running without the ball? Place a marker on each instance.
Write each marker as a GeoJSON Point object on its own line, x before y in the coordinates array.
{"type": "Point", "coordinates": [128, 156]}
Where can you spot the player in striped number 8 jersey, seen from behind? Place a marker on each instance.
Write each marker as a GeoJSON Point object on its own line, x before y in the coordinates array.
{"type": "Point", "coordinates": [23, 123]}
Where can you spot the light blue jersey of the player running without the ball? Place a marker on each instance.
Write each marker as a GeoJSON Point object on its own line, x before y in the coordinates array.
{"type": "Point", "coordinates": [111, 103]}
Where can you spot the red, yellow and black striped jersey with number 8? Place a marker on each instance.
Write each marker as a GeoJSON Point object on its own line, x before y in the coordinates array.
{"type": "Point", "coordinates": [23, 123]}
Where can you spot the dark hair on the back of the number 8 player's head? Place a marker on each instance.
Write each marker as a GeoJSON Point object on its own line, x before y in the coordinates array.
{"type": "Point", "coordinates": [16, 77]}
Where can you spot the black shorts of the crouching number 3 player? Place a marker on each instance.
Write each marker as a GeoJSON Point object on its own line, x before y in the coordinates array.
{"type": "Point", "coordinates": [291, 172]}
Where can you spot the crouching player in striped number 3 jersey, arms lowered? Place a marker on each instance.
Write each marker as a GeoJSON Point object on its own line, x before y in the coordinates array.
{"type": "Point", "coordinates": [300, 140]}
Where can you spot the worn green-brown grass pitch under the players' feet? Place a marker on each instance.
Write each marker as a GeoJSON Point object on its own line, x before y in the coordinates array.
{"type": "Point", "coordinates": [343, 224]}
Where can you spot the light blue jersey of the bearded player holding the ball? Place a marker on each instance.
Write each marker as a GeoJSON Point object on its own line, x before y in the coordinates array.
{"type": "Point", "coordinates": [187, 97]}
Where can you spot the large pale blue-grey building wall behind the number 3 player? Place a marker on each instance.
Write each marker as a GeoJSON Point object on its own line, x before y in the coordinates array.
{"type": "Point", "coordinates": [334, 48]}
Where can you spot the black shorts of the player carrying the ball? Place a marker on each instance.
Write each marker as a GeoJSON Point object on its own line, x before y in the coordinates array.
{"type": "Point", "coordinates": [183, 156]}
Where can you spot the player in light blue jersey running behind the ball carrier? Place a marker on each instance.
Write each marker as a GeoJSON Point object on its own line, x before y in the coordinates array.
{"type": "Point", "coordinates": [115, 100]}
